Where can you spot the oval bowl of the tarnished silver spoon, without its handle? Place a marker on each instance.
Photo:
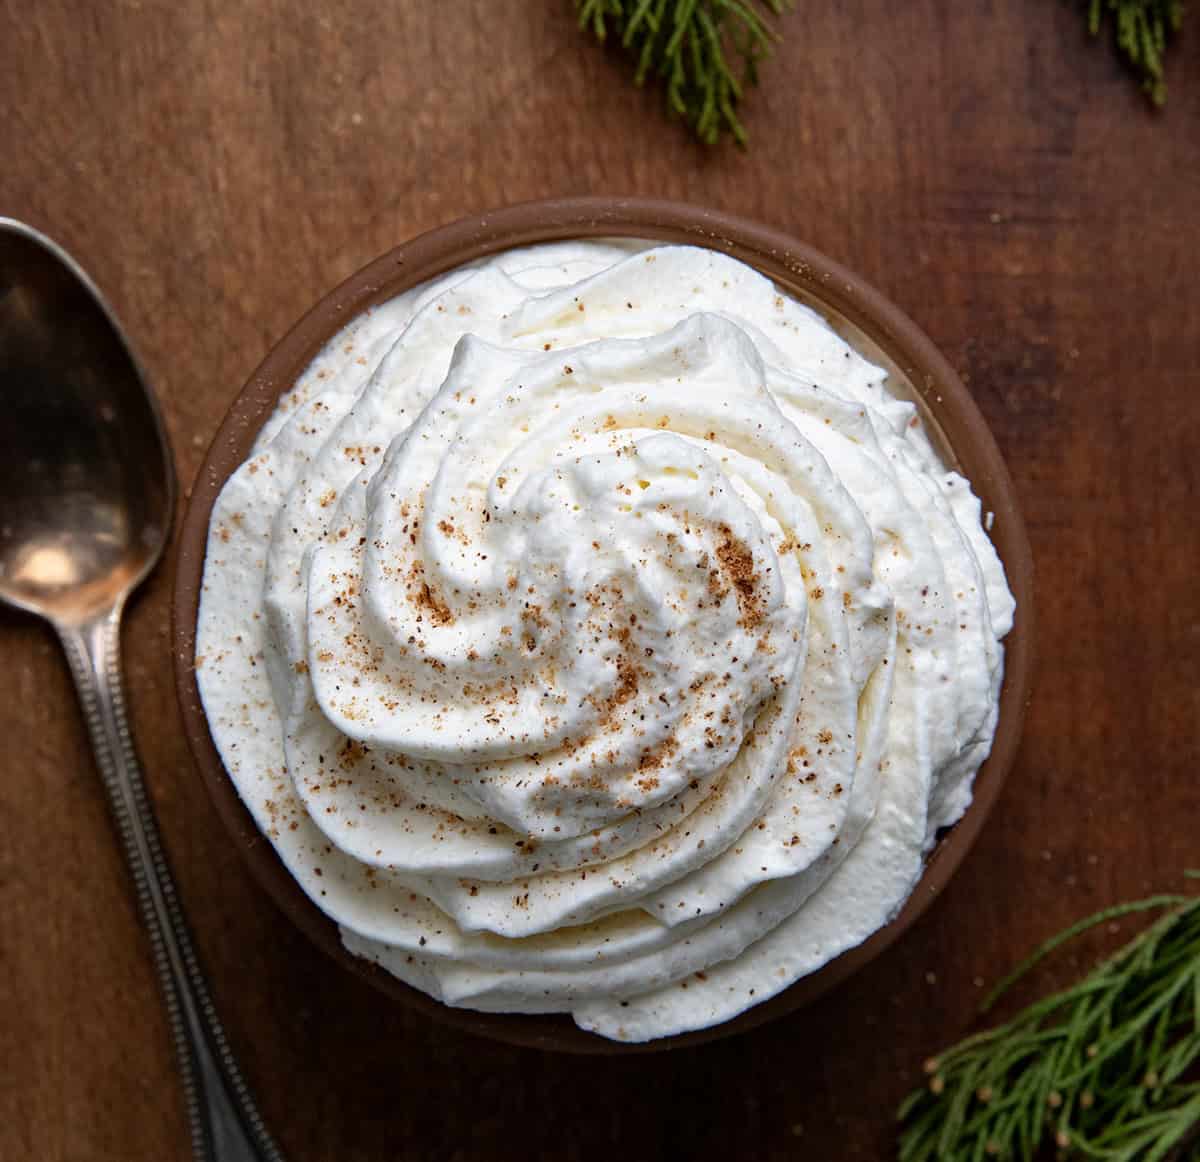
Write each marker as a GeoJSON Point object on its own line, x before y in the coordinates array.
{"type": "Point", "coordinates": [87, 484]}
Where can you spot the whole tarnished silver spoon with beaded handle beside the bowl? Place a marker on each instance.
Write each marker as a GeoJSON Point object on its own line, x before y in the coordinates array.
{"type": "Point", "coordinates": [87, 498]}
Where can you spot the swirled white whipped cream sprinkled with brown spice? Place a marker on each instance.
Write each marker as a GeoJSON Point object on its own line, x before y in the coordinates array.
{"type": "Point", "coordinates": [592, 632]}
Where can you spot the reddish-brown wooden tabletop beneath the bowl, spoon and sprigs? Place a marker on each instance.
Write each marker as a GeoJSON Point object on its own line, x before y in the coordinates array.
{"type": "Point", "coordinates": [218, 166]}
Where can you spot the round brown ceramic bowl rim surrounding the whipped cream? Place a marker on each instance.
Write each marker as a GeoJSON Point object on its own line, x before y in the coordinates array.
{"type": "Point", "coordinates": [865, 319]}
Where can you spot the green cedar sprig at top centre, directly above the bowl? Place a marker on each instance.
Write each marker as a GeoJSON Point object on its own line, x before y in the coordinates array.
{"type": "Point", "coordinates": [689, 44]}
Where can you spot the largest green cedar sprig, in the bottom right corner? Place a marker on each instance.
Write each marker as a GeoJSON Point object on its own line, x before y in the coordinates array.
{"type": "Point", "coordinates": [1105, 1070]}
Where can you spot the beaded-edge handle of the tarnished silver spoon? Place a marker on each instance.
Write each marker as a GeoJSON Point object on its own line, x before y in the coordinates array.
{"type": "Point", "coordinates": [225, 1124]}
